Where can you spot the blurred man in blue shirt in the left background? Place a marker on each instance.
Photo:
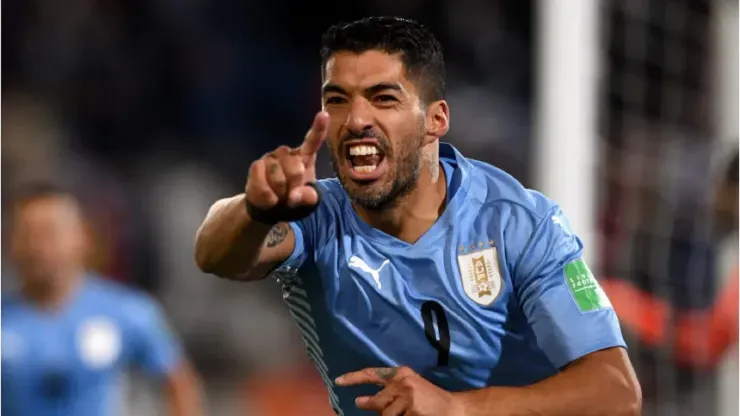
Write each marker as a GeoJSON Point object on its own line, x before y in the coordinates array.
{"type": "Point", "coordinates": [68, 336]}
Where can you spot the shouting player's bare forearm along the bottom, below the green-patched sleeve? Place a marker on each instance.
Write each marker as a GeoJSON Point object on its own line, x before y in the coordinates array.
{"type": "Point", "coordinates": [578, 390]}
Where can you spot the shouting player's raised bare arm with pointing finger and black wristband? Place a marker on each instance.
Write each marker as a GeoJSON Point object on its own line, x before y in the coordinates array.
{"type": "Point", "coordinates": [246, 236]}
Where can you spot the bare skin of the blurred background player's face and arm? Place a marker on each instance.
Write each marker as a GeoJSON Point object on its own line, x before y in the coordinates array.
{"type": "Point", "coordinates": [49, 246]}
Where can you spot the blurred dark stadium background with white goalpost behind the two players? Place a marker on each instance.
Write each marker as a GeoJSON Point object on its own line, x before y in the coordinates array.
{"type": "Point", "coordinates": [625, 111]}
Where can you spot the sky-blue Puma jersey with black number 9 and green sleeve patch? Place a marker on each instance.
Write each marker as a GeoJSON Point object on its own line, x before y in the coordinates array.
{"type": "Point", "coordinates": [495, 293]}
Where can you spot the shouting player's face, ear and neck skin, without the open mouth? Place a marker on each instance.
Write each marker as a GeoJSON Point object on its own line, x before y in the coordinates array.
{"type": "Point", "coordinates": [370, 95]}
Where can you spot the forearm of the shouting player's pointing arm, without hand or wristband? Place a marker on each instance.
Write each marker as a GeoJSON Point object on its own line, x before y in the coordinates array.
{"type": "Point", "coordinates": [228, 242]}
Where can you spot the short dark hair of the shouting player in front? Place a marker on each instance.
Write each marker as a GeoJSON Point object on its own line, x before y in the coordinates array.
{"type": "Point", "coordinates": [420, 51]}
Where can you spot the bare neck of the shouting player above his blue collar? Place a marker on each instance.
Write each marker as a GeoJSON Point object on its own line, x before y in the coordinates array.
{"type": "Point", "coordinates": [412, 216]}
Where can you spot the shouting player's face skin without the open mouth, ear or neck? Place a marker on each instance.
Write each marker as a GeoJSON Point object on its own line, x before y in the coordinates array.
{"type": "Point", "coordinates": [374, 101]}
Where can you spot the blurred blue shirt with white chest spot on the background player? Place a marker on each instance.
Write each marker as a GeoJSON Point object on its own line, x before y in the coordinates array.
{"type": "Point", "coordinates": [71, 362]}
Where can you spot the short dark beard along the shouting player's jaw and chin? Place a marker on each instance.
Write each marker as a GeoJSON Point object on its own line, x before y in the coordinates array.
{"type": "Point", "coordinates": [402, 185]}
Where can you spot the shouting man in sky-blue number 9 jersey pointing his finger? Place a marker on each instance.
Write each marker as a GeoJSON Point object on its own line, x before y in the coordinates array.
{"type": "Point", "coordinates": [424, 283]}
